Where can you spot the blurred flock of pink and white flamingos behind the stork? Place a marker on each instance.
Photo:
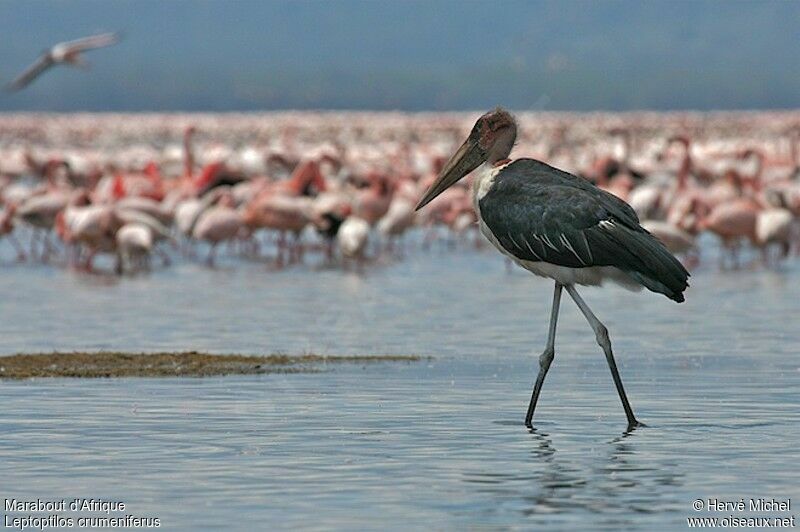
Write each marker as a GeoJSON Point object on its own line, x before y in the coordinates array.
{"type": "Point", "coordinates": [145, 189]}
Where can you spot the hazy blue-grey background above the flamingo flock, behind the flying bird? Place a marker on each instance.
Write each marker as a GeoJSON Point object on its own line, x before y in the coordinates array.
{"type": "Point", "coordinates": [413, 55]}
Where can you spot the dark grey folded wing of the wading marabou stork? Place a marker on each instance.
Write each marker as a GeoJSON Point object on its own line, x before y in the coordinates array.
{"type": "Point", "coordinates": [541, 220]}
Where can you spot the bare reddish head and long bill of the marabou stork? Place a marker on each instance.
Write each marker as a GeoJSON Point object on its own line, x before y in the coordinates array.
{"type": "Point", "coordinates": [491, 139]}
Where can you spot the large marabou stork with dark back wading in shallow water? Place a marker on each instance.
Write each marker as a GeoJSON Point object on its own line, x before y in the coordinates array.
{"type": "Point", "coordinates": [560, 226]}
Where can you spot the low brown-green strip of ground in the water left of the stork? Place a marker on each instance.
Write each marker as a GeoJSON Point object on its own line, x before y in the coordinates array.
{"type": "Point", "coordinates": [172, 364]}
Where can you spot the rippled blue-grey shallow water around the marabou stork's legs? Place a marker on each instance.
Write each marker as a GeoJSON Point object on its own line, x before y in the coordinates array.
{"type": "Point", "coordinates": [432, 444]}
